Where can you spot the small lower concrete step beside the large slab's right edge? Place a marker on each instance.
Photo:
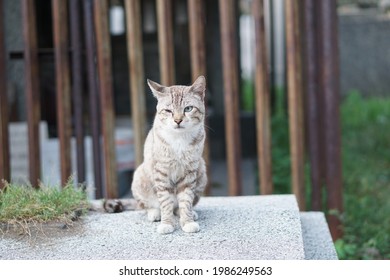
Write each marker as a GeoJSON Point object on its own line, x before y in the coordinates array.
{"type": "Point", "coordinates": [317, 240]}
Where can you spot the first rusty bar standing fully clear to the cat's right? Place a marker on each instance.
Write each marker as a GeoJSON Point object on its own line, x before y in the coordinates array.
{"type": "Point", "coordinates": [230, 80]}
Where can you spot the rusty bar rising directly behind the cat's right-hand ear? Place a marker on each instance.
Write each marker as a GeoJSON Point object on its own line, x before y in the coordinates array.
{"type": "Point", "coordinates": [196, 23]}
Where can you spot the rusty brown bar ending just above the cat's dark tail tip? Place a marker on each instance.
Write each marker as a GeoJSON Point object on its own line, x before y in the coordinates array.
{"type": "Point", "coordinates": [106, 96]}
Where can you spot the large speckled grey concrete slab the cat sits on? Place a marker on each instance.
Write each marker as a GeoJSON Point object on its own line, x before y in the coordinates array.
{"type": "Point", "coordinates": [251, 227]}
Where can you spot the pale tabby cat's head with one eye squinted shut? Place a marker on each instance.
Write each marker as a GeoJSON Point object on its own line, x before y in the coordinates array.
{"type": "Point", "coordinates": [180, 108]}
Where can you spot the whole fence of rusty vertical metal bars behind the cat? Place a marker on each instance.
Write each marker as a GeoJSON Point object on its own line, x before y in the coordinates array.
{"type": "Point", "coordinates": [312, 78]}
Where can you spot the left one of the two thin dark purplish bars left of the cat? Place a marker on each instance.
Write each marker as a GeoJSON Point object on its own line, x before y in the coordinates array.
{"type": "Point", "coordinates": [77, 86]}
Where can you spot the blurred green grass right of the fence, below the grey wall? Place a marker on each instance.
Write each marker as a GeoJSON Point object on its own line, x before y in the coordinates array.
{"type": "Point", "coordinates": [366, 178]}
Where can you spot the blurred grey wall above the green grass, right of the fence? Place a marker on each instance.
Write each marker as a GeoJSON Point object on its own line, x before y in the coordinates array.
{"type": "Point", "coordinates": [364, 53]}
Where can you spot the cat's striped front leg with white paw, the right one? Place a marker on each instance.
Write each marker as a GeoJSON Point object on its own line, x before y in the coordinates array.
{"type": "Point", "coordinates": [185, 197]}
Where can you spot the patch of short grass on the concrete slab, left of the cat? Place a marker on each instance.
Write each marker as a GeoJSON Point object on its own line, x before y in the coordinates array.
{"type": "Point", "coordinates": [20, 205]}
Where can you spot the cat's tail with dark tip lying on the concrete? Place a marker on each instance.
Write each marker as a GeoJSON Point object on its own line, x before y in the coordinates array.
{"type": "Point", "coordinates": [115, 205]}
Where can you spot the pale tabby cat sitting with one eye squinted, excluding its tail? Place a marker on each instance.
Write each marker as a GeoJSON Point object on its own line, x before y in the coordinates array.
{"type": "Point", "coordinates": [173, 176]}
